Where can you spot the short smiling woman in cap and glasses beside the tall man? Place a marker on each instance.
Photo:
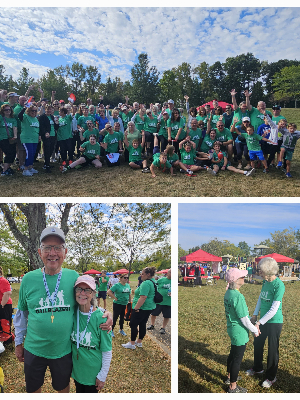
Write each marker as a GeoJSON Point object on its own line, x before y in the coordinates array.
{"type": "Point", "coordinates": [91, 346]}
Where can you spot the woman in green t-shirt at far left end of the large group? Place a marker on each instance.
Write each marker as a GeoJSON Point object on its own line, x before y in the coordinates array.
{"type": "Point", "coordinates": [8, 137]}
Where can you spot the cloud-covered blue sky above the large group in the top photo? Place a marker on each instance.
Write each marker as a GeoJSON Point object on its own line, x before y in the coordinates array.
{"type": "Point", "coordinates": [112, 38]}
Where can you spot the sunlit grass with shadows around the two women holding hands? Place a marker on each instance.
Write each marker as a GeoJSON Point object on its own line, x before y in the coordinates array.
{"type": "Point", "coordinates": [203, 343]}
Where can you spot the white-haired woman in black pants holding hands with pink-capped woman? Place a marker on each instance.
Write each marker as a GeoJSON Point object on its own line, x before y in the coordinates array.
{"type": "Point", "coordinates": [269, 305]}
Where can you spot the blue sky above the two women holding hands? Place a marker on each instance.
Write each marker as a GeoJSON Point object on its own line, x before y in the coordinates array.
{"type": "Point", "coordinates": [252, 223]}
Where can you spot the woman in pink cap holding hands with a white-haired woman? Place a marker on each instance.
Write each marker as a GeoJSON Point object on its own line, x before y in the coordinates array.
{"type": "Point", "coordinates": [238, 326]}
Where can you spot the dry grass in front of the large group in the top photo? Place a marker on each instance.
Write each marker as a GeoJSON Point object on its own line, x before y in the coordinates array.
{"type": "Point", "coordinates": [124, 182]}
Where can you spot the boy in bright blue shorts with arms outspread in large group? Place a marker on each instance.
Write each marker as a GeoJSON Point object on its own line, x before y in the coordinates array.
{"type": "Point", "coordinates": [254, 146]}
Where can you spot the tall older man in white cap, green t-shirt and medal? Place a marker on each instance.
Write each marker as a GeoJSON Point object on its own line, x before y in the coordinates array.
{"type": "Point", "coordinates": [45, 314]}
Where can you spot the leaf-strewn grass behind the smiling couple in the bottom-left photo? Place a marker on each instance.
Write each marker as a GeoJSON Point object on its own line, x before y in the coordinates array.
{"type": "Point", "coordinates": [130, 371]}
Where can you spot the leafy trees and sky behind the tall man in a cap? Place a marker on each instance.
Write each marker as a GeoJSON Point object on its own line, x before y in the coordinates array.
{"type": "Point", "coordinates": [99, 236]}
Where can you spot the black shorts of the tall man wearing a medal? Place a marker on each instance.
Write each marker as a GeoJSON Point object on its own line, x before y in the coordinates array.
{"type": "Point", "coordinates": [35, 369]}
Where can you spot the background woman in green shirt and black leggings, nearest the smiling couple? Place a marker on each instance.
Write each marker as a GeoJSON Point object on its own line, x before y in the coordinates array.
{"type": "Point", "coordinates": [120, 292]}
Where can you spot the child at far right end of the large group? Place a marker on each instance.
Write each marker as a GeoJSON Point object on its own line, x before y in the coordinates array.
{"type": "Point", "coordinates": [290, 137]}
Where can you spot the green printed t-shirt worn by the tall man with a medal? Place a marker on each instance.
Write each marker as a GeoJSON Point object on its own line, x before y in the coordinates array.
{"type": "Point", "coordinates": [44, 338]}
